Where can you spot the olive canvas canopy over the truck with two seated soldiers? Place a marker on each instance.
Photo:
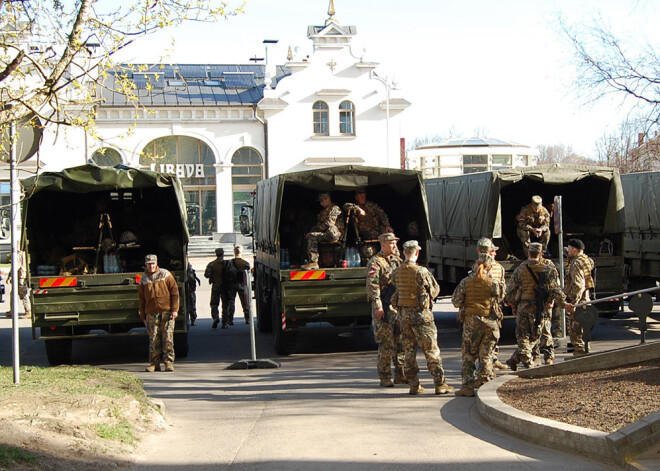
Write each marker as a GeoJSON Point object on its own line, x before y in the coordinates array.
{"type": "Point", "coordinates": [341, 178]}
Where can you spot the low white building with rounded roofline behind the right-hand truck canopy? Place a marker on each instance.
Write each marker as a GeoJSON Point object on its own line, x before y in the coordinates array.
{"type": "Point", "coordinates": [476, 154]}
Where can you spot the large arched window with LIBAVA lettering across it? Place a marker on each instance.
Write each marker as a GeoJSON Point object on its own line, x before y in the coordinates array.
{"type": "Point", "coordinates": [193, 161]}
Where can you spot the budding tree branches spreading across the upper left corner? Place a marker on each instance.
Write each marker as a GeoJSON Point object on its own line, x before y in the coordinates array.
{"type": "Point", "coordinates": [54, 54]}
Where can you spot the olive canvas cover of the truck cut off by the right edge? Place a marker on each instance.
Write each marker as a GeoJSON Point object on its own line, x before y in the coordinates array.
{"type": "Point", "coordinates": [642, 196]}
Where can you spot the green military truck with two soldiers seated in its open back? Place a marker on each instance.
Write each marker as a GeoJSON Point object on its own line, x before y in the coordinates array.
{"type": "Point", "coordinates": [284, 210]}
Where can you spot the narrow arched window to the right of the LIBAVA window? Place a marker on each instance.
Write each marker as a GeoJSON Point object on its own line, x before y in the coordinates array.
{"type": "Point", "coordinates": [247, 169]}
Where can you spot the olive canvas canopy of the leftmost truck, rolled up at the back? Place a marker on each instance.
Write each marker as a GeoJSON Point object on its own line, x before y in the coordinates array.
{"type": "Point", "coordinates": [91, 178]}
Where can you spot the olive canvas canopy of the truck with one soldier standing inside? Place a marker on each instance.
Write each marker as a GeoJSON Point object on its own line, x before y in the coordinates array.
{"type": "Point", "coordinates": [469, 206]}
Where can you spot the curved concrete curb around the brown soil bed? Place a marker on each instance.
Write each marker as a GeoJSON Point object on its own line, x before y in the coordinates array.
{"type": "Point", "coordinates": [619, 447]}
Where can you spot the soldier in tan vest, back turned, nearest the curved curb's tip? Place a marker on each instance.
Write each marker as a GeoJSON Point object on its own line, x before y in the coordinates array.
{"type": "Point", "coordinates": [476, 297]}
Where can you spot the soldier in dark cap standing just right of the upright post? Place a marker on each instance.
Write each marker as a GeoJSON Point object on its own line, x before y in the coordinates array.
{"type": "Point", "coordinates": [577, 284]}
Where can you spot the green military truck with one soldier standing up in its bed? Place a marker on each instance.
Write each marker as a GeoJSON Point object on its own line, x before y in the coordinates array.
{"type": "Point", "coordinates": [464, 208]}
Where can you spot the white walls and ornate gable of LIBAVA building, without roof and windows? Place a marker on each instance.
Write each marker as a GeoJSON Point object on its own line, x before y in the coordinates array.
{"type": "Point", "coordinates": [278, 128]}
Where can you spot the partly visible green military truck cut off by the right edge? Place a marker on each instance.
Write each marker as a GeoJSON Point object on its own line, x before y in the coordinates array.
{"type": "Point", "coordinates": [641, 239]}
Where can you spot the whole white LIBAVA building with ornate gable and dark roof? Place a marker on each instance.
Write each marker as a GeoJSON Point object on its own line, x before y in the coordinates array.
{"type": "Point", "coordinates": [223, 127]}
